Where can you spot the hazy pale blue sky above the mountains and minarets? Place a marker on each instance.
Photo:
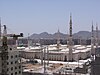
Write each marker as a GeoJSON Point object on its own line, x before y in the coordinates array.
{"type": "Point", "coordinates": [36, 16]}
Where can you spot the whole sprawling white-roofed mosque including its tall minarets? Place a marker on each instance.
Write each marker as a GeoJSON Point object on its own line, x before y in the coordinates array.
{"type": "Point", "coordinates": [58, 52]}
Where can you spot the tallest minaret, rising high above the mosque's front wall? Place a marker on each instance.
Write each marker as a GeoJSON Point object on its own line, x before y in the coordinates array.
{"type": "Point", "coordinates": [70, 40]}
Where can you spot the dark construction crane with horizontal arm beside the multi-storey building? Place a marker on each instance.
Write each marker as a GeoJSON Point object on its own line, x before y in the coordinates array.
{"type": "Point", "coordinates": [4, 49]}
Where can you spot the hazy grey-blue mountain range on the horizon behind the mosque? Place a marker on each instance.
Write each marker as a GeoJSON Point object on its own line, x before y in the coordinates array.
{"type": "Point", "coordinates": [80, 34]}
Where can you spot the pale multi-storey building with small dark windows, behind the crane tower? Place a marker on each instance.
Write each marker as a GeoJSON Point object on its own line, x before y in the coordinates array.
{"type": "Point", "coordinates": [13, 62]}
